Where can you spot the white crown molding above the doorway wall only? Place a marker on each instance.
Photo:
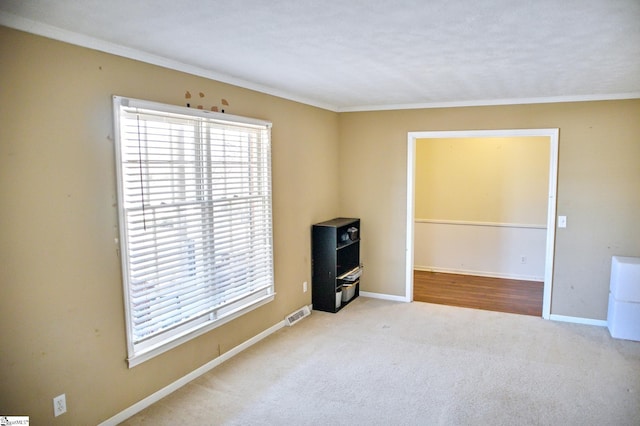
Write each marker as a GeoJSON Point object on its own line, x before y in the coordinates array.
{"type": "Point", "coordinates": [494, 102]}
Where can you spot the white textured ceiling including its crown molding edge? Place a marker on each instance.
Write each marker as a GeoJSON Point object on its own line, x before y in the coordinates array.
{"type": "Point", "coordinates": [348, 55]}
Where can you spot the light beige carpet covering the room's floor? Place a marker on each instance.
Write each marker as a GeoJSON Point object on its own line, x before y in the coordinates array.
{"type": "Point", "coordinates": [388, 363]}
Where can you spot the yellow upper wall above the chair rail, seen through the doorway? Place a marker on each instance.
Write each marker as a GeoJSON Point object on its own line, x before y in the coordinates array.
{"type": "Point", "coordinates": [500, 180]}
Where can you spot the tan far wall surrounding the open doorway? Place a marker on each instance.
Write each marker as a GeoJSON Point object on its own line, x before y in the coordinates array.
{"type": "Point", "coordinates": [598, 188]}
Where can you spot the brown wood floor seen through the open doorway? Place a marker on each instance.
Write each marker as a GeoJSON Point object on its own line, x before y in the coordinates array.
{"type": "Point", "coordinates": [492, 294]}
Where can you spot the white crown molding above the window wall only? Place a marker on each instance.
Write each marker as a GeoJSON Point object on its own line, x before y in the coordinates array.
{"type": "Point", "coordinates": [19, 23]}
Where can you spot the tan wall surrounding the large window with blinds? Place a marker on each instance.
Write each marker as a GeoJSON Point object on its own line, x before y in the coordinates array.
{"type": "Point", "coordinates": [61, 308]}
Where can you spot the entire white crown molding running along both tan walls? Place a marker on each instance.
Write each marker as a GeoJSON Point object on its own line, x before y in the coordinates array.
{"type": "Point", "coordinates": [19, 23]}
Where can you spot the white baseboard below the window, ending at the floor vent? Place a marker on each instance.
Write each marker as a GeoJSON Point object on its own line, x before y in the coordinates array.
{"type": "Point", "coordinates": [157, 396]}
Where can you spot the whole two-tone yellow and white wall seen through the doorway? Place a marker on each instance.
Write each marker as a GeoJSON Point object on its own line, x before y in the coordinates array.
{"type": "Point", "coordinates": [481, 205]}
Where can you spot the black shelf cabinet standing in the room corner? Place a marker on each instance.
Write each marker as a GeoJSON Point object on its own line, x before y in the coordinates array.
{"type": "Point", "coordinates": [334, 257]}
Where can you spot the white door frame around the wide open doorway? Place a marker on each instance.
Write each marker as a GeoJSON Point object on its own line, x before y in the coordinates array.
{"type": "Point", "coordinates": [551, 133]}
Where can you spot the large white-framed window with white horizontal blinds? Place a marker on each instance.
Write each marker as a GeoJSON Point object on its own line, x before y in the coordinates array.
{"type": "Point", "coordinates": [194, 198]}
